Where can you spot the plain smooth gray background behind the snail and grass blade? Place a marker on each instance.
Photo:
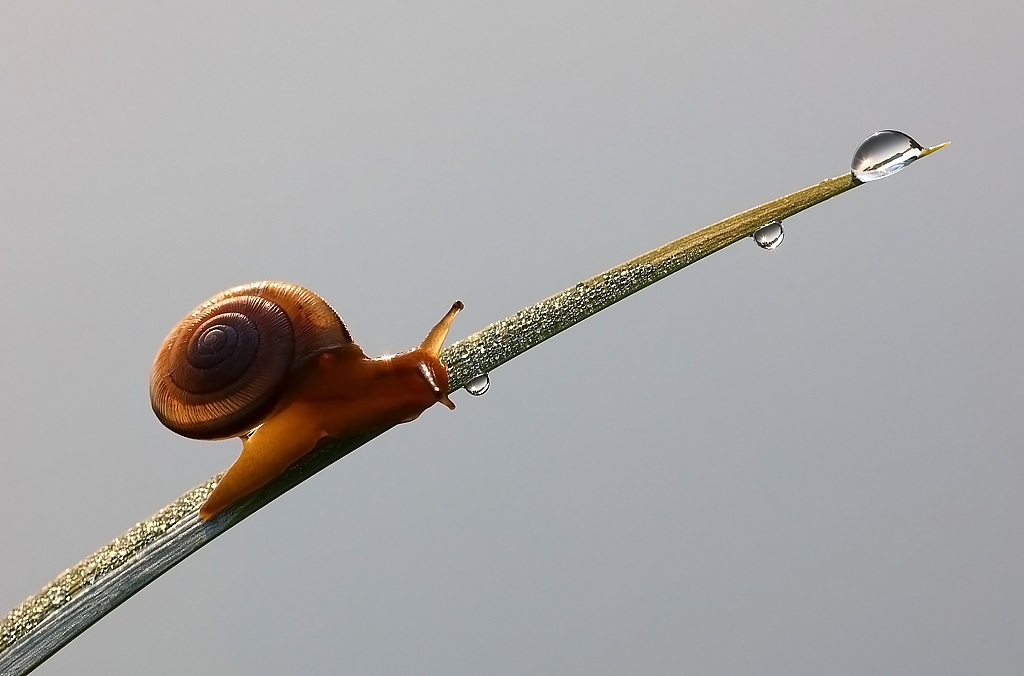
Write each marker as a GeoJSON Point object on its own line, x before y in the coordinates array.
{"type": "Point", "coordinates": [798, 462]}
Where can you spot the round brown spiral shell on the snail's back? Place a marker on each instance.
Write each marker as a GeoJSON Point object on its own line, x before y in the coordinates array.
{"type": "Point", "coordinates": [222, 371]}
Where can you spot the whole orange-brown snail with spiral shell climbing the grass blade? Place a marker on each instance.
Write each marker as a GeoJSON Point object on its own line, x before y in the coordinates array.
{"type": "Point", "coordinates": [273, 364]}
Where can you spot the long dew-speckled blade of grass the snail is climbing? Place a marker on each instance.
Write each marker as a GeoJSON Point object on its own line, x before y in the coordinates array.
{"type": "Point", "coordinates": [80, 597]}
